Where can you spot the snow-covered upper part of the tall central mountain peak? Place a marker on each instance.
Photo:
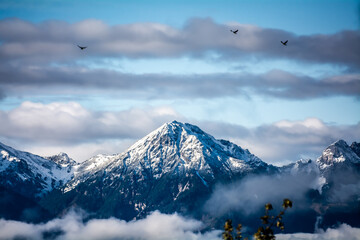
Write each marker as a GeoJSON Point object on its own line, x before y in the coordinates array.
{"type": "Point", "coordinates": [188, 147]}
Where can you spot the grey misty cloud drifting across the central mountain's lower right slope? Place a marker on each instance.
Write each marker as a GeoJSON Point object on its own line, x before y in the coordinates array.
{"type": "Point", "coordinates": [256, 191]}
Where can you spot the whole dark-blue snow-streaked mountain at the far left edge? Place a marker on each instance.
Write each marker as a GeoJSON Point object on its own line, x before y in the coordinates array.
{"type": "Point", "coordinates": [24, 179]}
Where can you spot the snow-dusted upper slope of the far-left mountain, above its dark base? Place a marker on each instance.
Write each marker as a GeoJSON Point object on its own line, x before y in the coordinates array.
{"type": "Point", "coordinates": [30, 174]}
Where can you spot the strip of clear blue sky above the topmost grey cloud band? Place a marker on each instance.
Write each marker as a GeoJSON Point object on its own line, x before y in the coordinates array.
{"type": "Point", "coordinates": [298, 16]}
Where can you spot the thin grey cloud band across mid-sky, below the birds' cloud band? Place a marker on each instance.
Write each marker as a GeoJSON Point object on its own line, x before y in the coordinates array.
{"type": "Point", "coordinates": [275, 83]}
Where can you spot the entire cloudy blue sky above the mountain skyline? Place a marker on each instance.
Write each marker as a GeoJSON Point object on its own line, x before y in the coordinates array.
{"type": "Point", "coordinates": [151, 62]}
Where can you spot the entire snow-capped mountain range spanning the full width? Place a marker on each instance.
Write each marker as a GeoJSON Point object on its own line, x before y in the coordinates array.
{"type": "Point", "coordinates": [175, 168]}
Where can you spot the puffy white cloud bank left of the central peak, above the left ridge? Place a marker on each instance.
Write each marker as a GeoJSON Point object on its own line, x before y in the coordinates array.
{"type": "Point", "coordinates": [47, 129]}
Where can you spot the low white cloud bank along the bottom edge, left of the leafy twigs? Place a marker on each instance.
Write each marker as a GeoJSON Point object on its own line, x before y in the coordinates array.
{"type": "Point", "coordinates": [71, 227]}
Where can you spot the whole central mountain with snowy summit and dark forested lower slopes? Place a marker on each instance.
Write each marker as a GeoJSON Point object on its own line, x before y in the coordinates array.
{"type": "Point", "coordinates": [174, 168]}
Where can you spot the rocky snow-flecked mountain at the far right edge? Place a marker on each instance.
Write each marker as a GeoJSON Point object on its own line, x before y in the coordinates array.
{"type": "Point", "coordinates": [339, 165]}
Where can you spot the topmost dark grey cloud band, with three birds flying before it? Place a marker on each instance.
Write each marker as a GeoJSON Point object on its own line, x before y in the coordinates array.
{"type": "Point", "coordinates": [56, 40]}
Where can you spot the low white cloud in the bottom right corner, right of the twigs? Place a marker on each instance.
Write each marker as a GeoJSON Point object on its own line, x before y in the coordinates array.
{"type": "Point", "coordinates": [343, 231]}
